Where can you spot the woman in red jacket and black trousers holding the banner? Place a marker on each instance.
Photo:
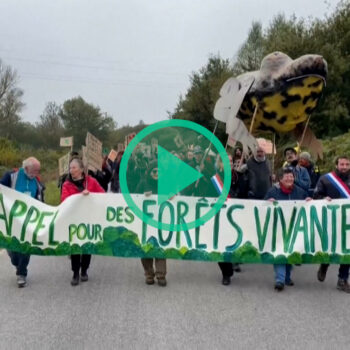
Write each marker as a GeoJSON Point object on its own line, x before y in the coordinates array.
{"type": "Point", "coordinates": [77, 183]}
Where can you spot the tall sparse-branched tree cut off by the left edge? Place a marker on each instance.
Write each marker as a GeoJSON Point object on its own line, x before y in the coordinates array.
{"type": "Point", "coordinates": [10, 101]}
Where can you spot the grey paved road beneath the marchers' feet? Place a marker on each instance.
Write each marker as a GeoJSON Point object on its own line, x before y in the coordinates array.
{"type": "Point", "coordinates": [116, 310]}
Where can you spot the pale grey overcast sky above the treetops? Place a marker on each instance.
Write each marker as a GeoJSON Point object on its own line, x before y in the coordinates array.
{"type": "Point", "coordinates": [132, 58]}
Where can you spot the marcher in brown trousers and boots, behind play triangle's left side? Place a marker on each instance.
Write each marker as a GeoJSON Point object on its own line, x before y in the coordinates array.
{"type": "Point", "coordinates": [149, 186]}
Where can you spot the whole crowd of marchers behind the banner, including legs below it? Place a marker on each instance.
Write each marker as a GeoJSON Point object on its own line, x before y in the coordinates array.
{"type": "Point", "coordinates": [251, 178]}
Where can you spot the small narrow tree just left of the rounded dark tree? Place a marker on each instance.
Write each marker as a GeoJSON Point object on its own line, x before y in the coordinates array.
{"type": "Point", "coordinates": [50, 127]}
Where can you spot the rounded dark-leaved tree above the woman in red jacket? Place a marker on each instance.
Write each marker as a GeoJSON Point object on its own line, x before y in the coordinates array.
{"type": "Point", "coordinates": [79, 117]}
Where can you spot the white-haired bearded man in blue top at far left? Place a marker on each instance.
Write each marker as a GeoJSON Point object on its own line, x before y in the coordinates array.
{"type": "Point", "coordinates": [25, 180]}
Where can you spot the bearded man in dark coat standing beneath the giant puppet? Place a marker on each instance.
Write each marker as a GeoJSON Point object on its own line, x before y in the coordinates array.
{"type": "Point", "coordinates": [259, 175]}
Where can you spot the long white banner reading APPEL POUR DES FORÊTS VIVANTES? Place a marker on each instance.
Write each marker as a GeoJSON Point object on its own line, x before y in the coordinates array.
{"type": "Point", "coordinates": [246, 231]}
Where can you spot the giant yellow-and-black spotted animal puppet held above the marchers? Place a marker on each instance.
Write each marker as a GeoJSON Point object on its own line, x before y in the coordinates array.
{"type": "Point", "coordinates": [279, 97]}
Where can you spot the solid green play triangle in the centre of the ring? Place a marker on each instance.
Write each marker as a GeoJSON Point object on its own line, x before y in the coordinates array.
{"type": "Point", "coordinates": [174, 175]}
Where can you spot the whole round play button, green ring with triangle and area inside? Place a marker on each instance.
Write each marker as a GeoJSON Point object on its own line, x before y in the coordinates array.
{"type": "Point", "coordinates": [169, 174]}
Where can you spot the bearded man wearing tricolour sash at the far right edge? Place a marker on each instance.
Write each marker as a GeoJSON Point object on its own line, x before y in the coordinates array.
{"type": "Point", "coordinates": [333, 185]}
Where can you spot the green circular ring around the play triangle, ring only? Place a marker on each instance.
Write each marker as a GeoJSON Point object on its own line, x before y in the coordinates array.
{"type": "Point", "coordinates": [166, 124]}
